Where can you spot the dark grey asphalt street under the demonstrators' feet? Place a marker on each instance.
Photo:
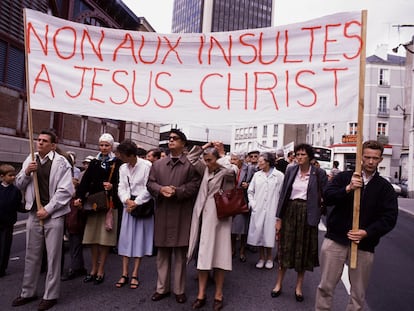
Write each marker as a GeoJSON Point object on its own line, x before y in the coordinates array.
{"type": "Point", "coordinates": [246, 288]}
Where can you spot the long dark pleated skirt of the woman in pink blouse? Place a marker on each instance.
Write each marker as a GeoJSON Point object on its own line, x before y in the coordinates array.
{"type": "Point", "coordinates": [298, 247]}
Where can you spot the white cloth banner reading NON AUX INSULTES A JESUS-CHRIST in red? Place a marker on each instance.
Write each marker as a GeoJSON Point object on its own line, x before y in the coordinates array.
{"type": "Point", "coordinates": [299, 73]}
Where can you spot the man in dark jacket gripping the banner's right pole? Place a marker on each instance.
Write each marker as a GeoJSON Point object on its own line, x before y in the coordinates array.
{"type": "Point", "coordinates": [378, 216]}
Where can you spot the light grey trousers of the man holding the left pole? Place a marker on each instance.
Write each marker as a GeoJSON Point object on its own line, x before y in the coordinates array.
{"type": "Point", "coordinates": [38, 236]}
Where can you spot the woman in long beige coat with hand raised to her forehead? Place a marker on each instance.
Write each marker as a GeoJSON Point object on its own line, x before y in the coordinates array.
{"type": "Point", "coordinates": [211, 234]}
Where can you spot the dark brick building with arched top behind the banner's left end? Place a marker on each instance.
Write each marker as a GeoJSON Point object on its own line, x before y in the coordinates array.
{"type": "Point", "coordinates": [76, 133]}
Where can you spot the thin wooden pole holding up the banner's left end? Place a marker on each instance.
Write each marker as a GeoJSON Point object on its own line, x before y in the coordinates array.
{"type": "Point", "coordinates": [30, 119]}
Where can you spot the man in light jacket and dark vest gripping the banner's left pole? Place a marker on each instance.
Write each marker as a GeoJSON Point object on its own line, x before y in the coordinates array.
{"type": "Point", "coordinates": [45, 223]}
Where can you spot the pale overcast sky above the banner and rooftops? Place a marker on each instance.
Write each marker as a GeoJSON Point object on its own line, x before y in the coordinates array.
{"type": "Point", "coordinates": [383, 16]}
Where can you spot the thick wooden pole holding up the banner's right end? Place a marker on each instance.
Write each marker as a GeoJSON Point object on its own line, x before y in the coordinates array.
{"type": "Point", "coordinates": [358, 160]}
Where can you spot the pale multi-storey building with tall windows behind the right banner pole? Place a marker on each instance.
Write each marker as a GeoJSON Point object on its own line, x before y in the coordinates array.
{"type": "Point", "coordinates": [385, 118]}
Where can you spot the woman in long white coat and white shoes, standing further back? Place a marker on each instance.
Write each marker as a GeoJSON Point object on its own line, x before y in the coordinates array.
{"type": "Point", "coordinates": [263, 193]}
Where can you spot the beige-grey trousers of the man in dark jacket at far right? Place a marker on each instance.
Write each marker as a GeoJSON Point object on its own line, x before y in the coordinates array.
{"type": "Point", "coordinates": [333, 256]}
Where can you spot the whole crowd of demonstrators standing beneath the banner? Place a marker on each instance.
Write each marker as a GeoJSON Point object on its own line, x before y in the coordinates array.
{"type": "Point", "coordinates": [180, 224]}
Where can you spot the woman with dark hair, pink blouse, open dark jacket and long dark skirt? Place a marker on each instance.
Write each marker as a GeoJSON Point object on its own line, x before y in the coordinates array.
{"type": "Point", "coordinates": [298, 215]}
